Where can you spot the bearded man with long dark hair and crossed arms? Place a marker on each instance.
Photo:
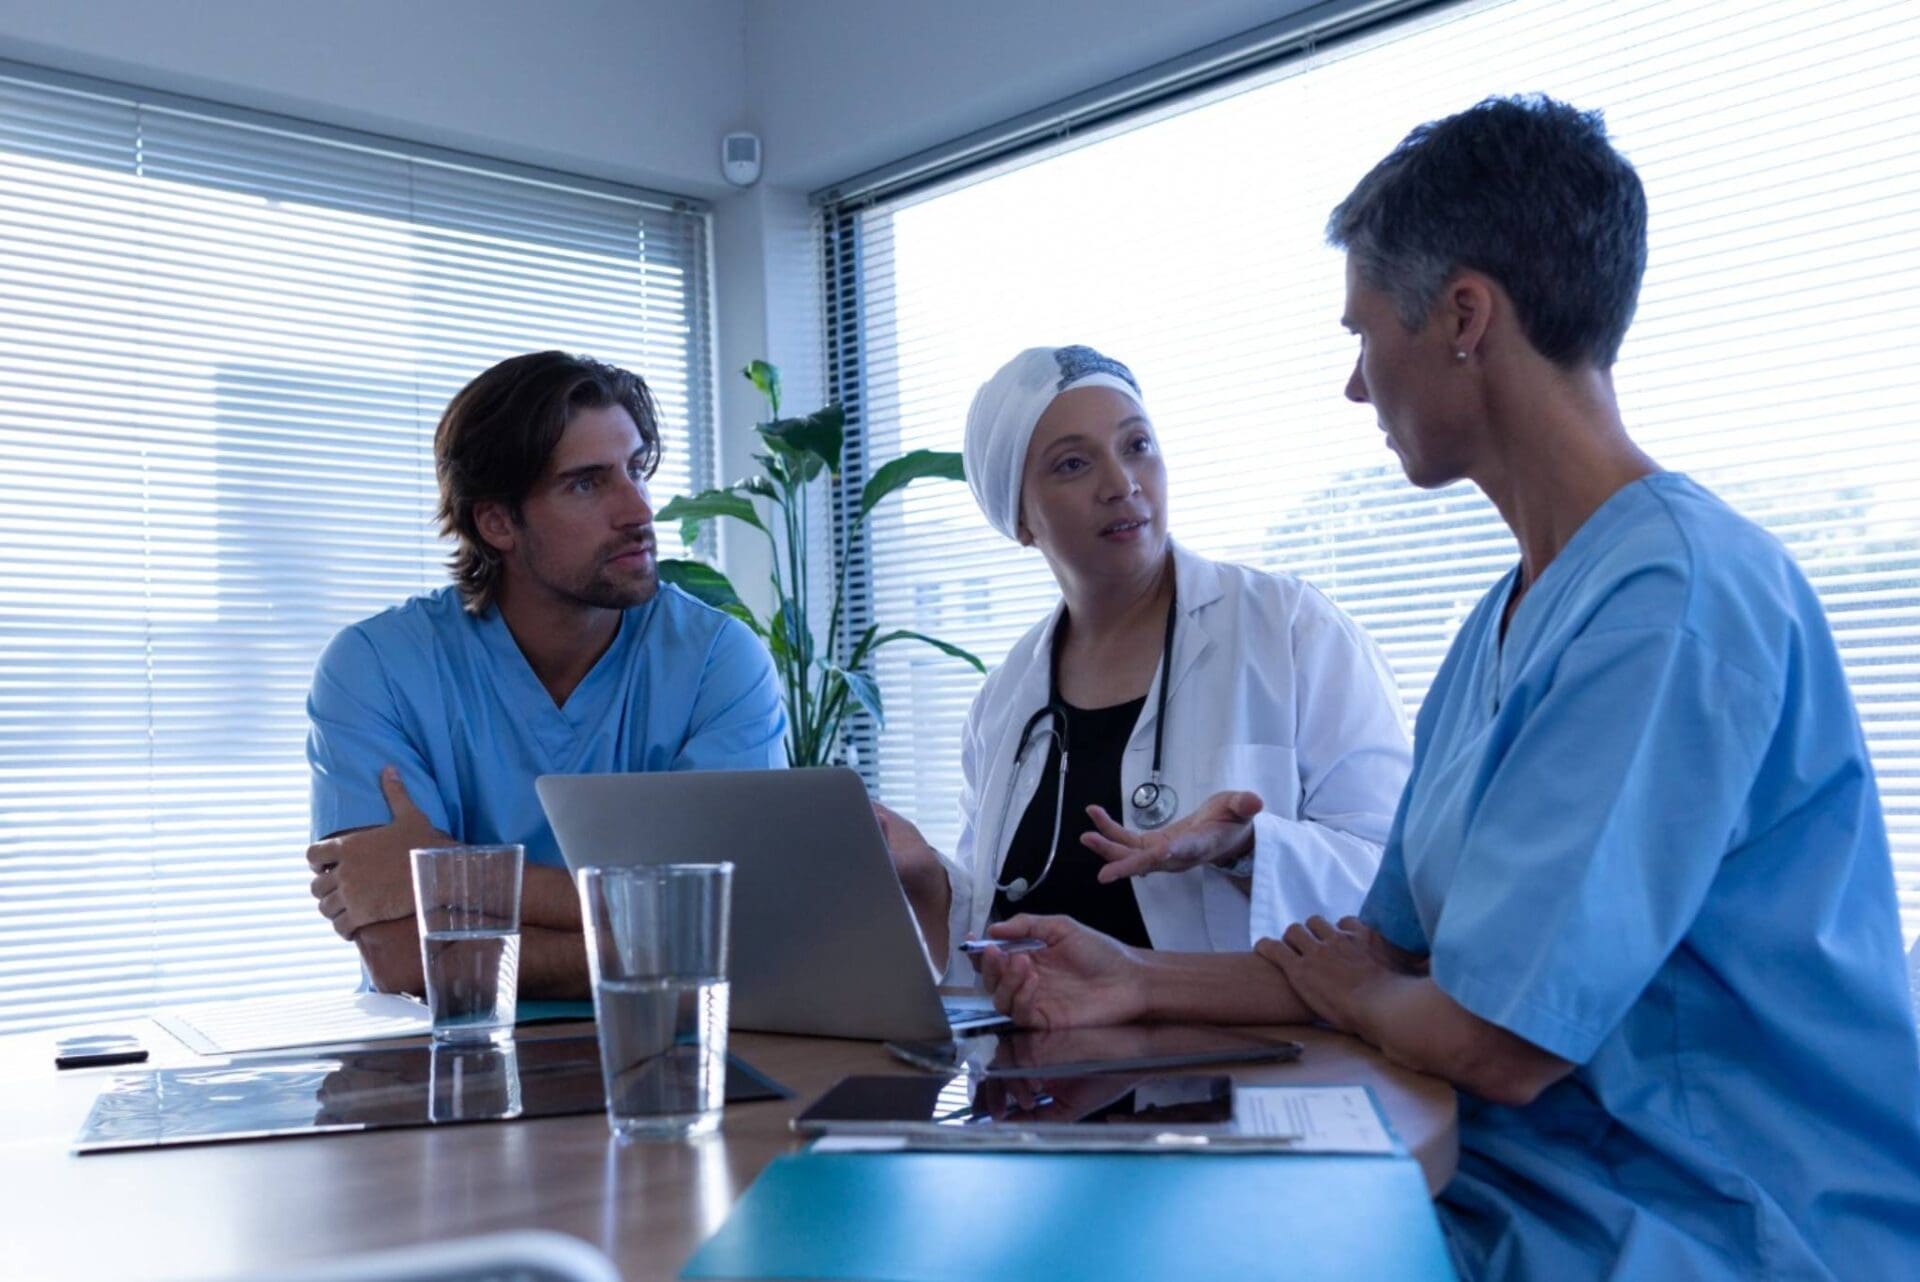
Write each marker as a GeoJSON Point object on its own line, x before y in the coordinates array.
{"type": "Point", "coordinates": [556, 652]}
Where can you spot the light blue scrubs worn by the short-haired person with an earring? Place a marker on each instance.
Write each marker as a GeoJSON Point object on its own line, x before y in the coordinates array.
{"type": "Point", "coordinates": [1644, 836]}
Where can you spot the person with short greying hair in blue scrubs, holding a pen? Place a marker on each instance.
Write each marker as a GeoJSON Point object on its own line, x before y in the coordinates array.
{"type": "Point", "coordinates": [1637, 901]}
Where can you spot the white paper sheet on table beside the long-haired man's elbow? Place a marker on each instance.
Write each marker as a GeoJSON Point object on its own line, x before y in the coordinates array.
{"type": "Point", "coordinates": [308, 1020]}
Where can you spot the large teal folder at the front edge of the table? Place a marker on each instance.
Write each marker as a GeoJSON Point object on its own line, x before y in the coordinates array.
{"type": "Point", "coordinates": [1070, 1218]}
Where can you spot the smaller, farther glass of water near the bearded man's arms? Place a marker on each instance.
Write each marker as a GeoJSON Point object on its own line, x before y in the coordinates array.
{"type": "Point", "coordinates": [469, 903]}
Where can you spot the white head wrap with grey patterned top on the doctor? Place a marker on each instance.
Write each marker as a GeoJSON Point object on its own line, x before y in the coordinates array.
{"type": "Point", "coordinates": [999, 427]}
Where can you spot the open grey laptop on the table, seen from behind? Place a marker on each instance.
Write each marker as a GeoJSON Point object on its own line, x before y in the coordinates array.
{"type": "Point", "coordinates": [823, 938]}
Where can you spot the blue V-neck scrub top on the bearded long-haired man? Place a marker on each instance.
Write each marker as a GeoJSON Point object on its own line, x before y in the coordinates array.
{"type": "Point", "coordinates": [452, 701]}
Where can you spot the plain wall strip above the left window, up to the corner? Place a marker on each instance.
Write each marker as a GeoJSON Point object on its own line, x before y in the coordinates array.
{"type": "Point", "coordinates": [617, 89]}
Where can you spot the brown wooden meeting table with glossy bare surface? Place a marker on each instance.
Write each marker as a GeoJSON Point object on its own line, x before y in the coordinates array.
{"type": "Point", "coordinates": [239, 1208]}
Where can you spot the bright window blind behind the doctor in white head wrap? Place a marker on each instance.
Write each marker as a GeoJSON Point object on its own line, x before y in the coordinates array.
{"type": "Point", "coordinates": [1773, 358]}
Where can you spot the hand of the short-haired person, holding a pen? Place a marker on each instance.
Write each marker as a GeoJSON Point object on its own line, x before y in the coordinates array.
{"type": "Point", "coordinates": [1082, 978]}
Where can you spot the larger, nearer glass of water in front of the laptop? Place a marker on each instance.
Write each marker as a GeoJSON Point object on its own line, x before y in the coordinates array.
{"type": "Point", "coordinates": [658, 945]}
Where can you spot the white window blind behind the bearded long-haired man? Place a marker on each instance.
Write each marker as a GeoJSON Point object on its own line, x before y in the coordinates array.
{"type": "Point", "coordinates": [226, 346]}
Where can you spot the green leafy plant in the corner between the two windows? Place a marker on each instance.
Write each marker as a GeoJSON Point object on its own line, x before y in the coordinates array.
{"type": "Point", "coordinates": [804, 458]}
